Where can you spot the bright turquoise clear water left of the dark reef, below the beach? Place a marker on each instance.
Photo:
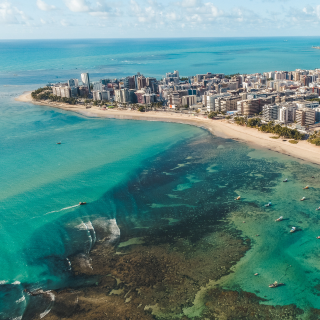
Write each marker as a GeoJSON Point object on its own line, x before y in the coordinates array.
{"type": "Point", "coordinates": [42, 182]}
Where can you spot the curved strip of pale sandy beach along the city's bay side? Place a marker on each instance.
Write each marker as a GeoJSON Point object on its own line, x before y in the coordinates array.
{"type": "Point", "coordinates": [303, 150]}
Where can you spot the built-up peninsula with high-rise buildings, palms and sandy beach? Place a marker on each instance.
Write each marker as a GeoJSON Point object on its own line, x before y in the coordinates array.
{"type": "Point", "coordinates": [275, 110]}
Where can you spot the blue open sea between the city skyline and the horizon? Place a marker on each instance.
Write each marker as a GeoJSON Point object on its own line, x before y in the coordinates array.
{"type": "Point", "coordinates": [26, 62]}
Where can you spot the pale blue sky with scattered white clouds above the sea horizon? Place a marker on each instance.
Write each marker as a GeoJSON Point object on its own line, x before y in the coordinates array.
{"type": "Point", "coordinates": [68, 19]}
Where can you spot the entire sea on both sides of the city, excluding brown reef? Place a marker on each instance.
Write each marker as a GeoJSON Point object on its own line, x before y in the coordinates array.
{"type": "Point", "coordinates": [162, 186]}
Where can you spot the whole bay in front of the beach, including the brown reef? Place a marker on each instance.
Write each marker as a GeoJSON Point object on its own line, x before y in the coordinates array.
{"type": "Point", "coordinates": [161, 236]}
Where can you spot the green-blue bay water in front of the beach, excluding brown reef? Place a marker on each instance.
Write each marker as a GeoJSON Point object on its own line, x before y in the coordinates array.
{"type": "Point", "coordinates": [179, 183]}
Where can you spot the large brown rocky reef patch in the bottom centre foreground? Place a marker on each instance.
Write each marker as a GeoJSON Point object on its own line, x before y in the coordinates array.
{"type": "Point", "coordinates": [143, 281]}
